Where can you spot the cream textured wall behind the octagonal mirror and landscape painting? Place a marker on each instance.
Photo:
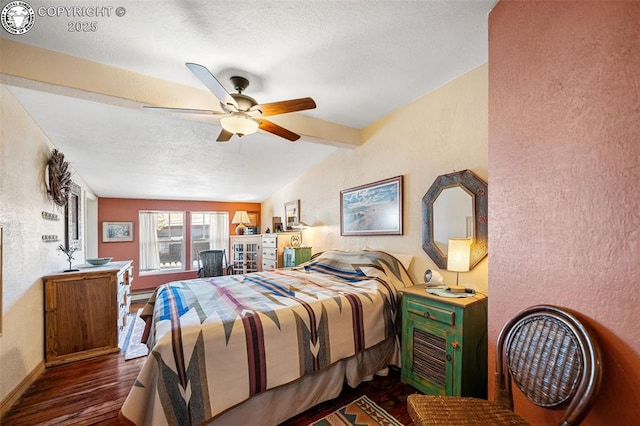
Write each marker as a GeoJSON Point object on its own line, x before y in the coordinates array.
{"type": "Point", "coordinates": [441, 132]}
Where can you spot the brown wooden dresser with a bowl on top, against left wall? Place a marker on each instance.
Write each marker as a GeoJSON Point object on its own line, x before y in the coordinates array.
{"type": "Point", "coordinates": [86, 311]}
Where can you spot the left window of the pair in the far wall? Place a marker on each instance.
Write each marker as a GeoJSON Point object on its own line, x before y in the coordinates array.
{"type": "Point", "coordinates": [161, 241]}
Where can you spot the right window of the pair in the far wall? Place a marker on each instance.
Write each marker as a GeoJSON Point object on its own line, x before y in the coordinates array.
{"type": "Point", "coordinates": [209, 230]}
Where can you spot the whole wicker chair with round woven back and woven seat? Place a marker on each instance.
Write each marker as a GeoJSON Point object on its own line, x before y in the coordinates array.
{"type": "Point", "coordinates": [547, 353]}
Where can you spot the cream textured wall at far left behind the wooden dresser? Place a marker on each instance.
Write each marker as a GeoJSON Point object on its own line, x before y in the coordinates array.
{"type": "Point", "coordinates": [24, 152]}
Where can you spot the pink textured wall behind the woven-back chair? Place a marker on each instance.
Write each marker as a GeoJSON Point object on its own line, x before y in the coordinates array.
{"type": "Point", "coordinates": [564, 162]}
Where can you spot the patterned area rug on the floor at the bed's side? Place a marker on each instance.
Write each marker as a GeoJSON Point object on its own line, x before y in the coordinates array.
{"type": "Point", "coordinates": [362, 411]}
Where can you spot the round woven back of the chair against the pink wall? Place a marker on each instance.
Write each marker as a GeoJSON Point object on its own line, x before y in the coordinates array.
{"type": "Point", "coordinates": [553, 360]}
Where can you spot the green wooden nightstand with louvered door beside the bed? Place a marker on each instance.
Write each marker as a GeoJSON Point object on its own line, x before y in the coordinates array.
{"type": "Point", "coordinates": [444, 343]}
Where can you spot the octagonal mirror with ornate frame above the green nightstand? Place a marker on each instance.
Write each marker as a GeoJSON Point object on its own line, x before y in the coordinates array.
{"type": "Point", "coordinates": [455, 207]}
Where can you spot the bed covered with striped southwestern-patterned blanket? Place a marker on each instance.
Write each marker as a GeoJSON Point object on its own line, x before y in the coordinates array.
{"type": "Point", "coordinates": [262, 347]}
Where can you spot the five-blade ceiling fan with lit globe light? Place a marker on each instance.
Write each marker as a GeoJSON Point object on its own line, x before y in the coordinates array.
{"type": "Point", "coordinates": [242, 114]}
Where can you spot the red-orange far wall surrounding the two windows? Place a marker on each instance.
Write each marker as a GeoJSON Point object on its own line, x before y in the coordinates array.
{"type": "Point", "coordinates": [126, 210]}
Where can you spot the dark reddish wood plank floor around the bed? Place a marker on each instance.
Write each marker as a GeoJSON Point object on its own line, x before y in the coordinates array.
{"type": "Point", "coordinates": [91, 392]}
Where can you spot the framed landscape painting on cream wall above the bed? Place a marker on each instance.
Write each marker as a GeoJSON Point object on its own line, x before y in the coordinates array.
{"type": "Point", "coordinates": [372, 209]}
